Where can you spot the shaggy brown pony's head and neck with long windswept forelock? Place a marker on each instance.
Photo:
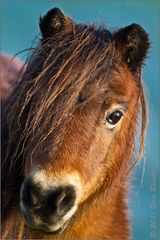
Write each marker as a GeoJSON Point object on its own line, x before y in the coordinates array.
{"type": "Point", "coordinates": [68, 133]}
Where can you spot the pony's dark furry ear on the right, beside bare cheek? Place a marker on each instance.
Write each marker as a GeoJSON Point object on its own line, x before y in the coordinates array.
{"type": "Point", "coordinates": [132, 43]}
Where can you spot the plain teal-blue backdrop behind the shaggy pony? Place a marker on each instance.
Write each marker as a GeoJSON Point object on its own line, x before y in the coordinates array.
{"type": "Point", "coordinates": [19, 27]}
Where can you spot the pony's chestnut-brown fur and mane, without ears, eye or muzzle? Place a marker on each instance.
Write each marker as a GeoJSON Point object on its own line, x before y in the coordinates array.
{"type": "Point", "coordinates": [71, 79]}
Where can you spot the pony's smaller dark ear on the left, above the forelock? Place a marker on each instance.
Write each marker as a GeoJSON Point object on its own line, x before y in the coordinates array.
{"type": "Point", "coordinates": [53, 22]}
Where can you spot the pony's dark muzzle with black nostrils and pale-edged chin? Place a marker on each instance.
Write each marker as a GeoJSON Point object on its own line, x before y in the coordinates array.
{"type": "Point", "coordinates": [47, 209]}
